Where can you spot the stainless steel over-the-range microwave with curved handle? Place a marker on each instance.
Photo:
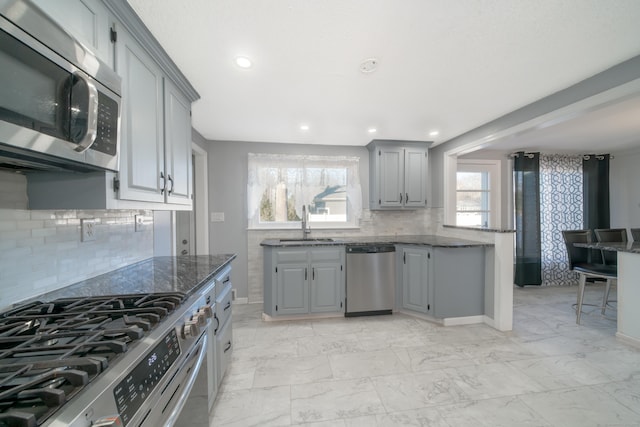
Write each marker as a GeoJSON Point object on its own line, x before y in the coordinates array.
{"type": "Point", "coordinates": [59, 104]}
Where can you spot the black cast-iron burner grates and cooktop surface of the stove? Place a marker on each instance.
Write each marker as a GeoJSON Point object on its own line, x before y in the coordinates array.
{"type": "Point", "coordinates": [49, 351]}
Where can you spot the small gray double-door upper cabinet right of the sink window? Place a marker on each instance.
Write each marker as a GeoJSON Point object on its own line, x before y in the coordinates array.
{"type": "Point", "coordinates": [398, 174]}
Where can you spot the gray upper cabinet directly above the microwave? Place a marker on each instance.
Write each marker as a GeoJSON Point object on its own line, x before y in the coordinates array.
{"type": "Point", "coordinates": [88, 21]}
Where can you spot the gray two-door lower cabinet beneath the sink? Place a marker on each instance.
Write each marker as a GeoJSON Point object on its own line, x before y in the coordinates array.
{"type": "Point", "coordinates": [303, 280]}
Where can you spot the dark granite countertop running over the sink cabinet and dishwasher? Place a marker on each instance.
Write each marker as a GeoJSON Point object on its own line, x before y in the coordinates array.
{"type": "Point", "coordinates": [426, 240]}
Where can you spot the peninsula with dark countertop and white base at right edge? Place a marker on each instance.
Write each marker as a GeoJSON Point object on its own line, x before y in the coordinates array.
{"type": "Point", "coordinates": [628, 289]}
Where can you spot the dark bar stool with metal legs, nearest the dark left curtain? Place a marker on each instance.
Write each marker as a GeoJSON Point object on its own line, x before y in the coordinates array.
{"type": "Point", "coordinates": [580, 263]}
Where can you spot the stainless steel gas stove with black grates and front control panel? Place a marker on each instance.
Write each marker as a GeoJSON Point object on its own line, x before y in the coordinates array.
{"type": "Point", "coordinates": [95, 360]}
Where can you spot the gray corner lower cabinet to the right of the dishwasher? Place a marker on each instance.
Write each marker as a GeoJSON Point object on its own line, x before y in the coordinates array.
{"type": "Point", "coordinates": [443, 282]}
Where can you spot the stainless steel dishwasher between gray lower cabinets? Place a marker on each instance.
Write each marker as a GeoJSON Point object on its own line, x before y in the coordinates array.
{"type": "Point", "coordinates": [371, 277]}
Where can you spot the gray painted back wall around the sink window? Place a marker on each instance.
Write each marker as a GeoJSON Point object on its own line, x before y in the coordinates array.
{"type": "Point", "coordinates": [228, 193]}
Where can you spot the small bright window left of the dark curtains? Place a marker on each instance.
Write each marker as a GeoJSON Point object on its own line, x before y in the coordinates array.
{"type": "Point", "coordinates": [472, 198]}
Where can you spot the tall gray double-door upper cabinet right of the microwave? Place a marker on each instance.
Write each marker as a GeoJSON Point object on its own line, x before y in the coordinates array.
{"type": "Point", "coordinates": [155, 141]}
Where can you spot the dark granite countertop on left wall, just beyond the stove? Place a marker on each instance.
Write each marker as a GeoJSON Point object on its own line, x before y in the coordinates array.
{"type": "Point", "coordinates": [159, 274]}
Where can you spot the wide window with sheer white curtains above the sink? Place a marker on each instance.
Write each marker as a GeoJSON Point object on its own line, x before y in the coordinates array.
{"type": "Point", "coordinates": [279, 185]}
